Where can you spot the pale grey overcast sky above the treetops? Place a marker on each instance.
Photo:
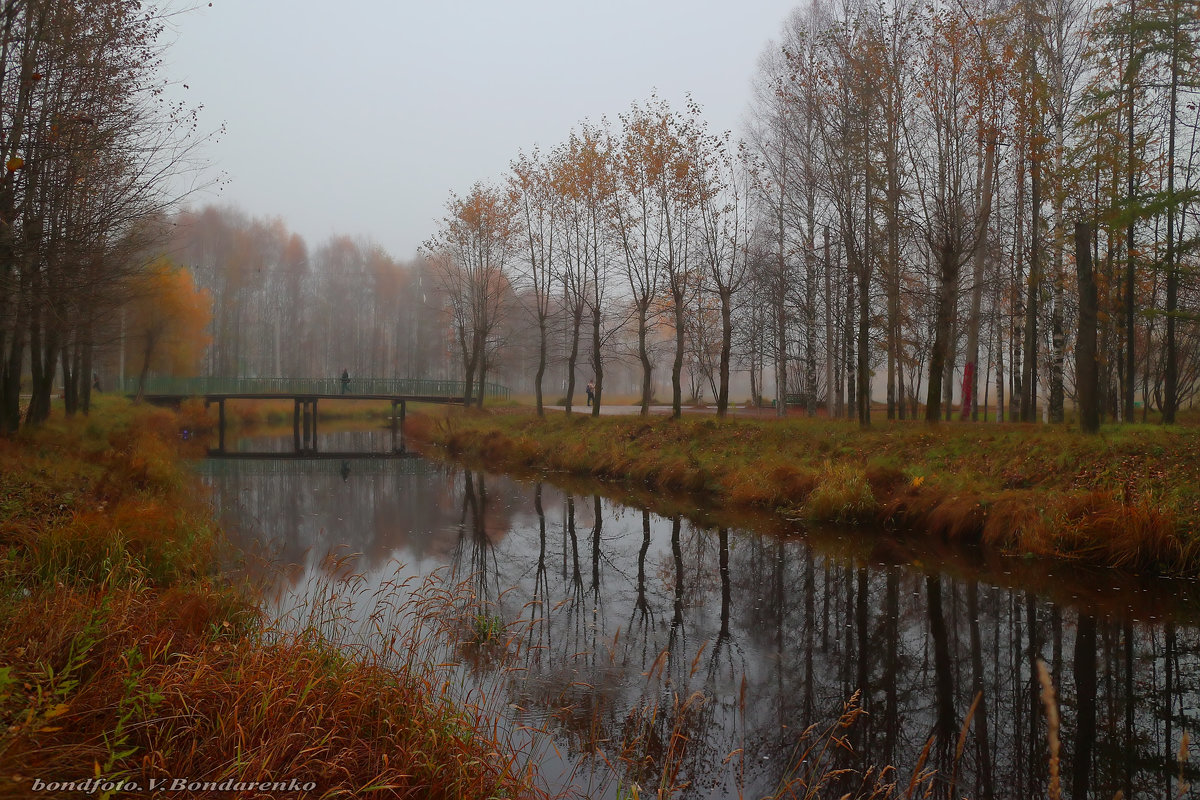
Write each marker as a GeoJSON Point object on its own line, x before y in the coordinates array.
{"type": "Point", "coordinates": [359, 118]}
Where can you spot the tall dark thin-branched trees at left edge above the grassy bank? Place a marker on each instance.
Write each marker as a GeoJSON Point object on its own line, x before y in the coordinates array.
{"type": "Point", "coordinates": [88, 143]}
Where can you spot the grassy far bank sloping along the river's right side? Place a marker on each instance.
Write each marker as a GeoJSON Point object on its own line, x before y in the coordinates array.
{"type": "Point", "coordinates": [1129, 498]}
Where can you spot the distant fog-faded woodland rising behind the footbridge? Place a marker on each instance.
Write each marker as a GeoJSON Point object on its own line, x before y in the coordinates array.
{"type": "Point", "coordinates": [283, 309]}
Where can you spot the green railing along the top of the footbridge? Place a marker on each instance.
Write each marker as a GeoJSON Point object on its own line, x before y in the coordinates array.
{"type": "Point", "coordinates": [201, 387]}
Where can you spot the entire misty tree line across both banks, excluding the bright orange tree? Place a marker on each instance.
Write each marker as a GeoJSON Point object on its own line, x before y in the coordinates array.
{"type": "Point", "coordinates": [901, 226]}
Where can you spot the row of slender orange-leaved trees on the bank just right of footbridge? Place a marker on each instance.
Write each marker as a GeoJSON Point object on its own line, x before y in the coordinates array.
{"type": "Point", "coordinates": [615, 239]}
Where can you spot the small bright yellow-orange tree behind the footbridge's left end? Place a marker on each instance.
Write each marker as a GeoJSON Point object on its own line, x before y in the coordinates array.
{"type": "Point", "coordinates": [167, 329]}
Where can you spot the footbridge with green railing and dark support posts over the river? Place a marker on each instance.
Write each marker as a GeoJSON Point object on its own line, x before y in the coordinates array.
{"type": "Point", "coordinates": [305, 394]}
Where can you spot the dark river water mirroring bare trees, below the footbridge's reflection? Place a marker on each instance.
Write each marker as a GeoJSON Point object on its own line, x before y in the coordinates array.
{"type": "Point", "coordinates": [704, 655]}
